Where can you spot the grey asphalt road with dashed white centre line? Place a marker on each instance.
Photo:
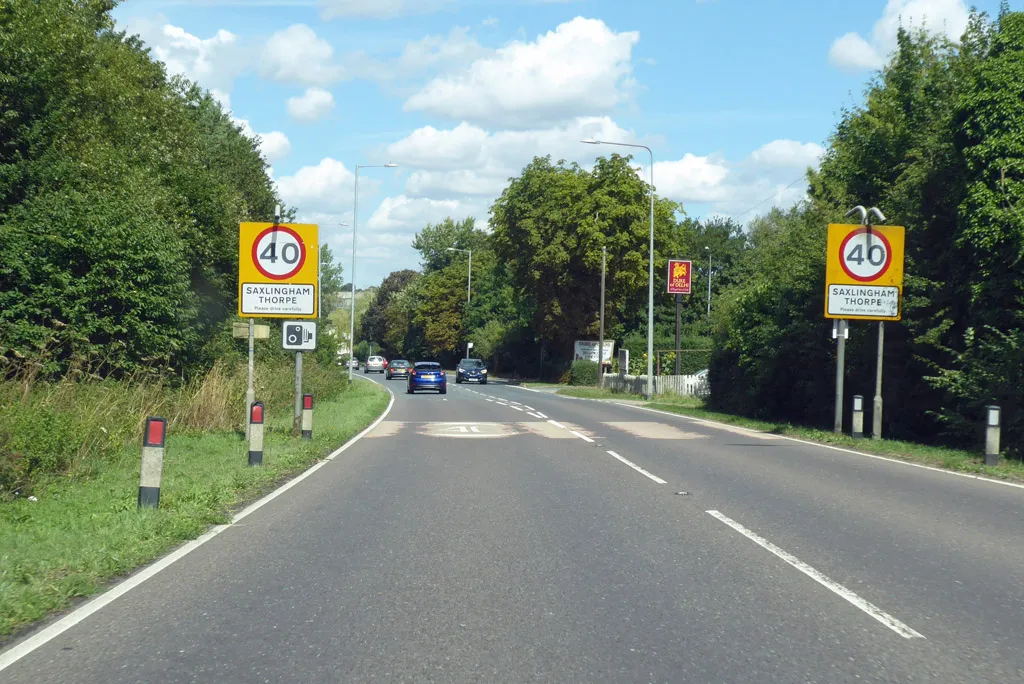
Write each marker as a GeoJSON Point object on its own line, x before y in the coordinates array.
{"type": "Point", "coordinates": [498, 535]}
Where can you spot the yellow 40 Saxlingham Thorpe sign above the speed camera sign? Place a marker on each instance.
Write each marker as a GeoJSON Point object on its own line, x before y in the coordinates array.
{"type": "Point", "coordinates": [279, 267]}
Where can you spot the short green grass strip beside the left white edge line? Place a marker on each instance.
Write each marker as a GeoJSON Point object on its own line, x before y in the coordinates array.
{"type": "Point", "coordinates": [83, 533]}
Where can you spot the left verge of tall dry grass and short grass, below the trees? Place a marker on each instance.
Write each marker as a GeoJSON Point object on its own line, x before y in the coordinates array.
{"type": "Point", "coordinates": [71, 524]}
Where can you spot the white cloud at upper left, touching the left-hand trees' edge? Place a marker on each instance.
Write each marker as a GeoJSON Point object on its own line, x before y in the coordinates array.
{"type": "Point", "coordinates": [215, 63]}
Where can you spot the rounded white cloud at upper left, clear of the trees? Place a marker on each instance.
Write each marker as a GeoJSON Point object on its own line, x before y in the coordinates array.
{"type": "Point", "coordinates": [296, 55]}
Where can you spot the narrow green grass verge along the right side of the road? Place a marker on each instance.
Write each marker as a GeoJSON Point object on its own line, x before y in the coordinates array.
{"type": "Point", "coordinates": [940, 457]}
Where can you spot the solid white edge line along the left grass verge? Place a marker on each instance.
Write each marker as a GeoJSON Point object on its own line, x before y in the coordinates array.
{"type": "Point", "coordinates": [23, 649]}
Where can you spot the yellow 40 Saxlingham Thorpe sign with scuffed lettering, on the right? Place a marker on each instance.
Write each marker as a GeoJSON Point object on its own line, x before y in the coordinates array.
{"type": "Point", "coordinates": [865, 273]}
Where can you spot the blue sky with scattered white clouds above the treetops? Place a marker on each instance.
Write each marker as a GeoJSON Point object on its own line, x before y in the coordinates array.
{"type": "Point", "coordinates": [736, 98]}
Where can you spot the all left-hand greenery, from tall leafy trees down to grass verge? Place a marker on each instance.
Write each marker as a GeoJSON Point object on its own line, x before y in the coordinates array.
{"type": "Point", "coordinates": [121, 194]}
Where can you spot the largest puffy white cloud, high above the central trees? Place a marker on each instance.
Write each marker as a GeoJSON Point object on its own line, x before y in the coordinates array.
{"type": "Point", "coordinates": [580, 69]}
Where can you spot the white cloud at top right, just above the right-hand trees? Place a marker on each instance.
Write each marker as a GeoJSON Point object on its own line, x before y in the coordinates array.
{"type": "Point", "coordinates": [854, 53]}
